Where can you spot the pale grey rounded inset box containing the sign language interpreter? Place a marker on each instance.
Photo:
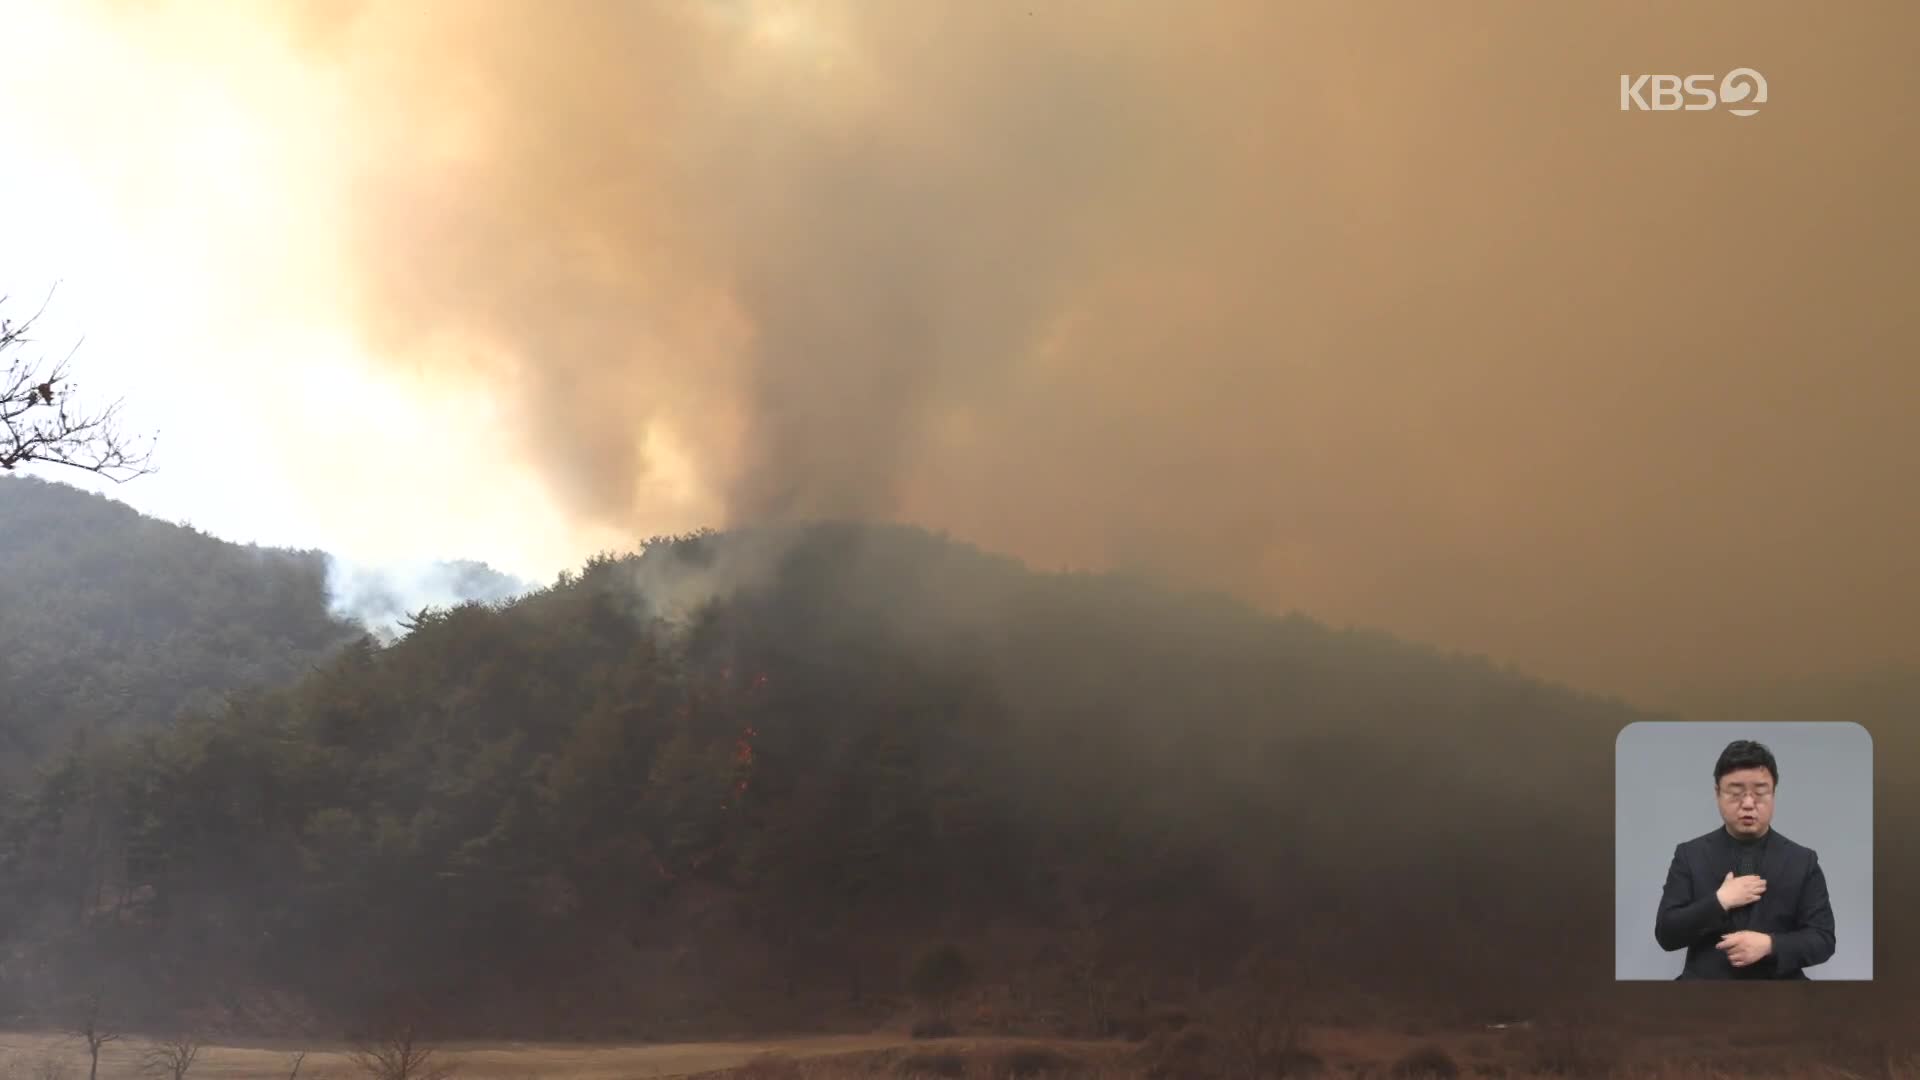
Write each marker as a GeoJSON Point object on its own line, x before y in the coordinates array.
{"type": "Point", "coordinates": [1744, 852]}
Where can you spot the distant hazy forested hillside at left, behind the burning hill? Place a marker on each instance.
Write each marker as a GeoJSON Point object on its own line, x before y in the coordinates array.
{"type": "Point", "coordinates": [110, 620]}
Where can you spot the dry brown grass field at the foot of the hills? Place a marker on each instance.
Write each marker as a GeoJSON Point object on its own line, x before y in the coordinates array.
{"type": "Point", "coordinates": [1193, 1054]}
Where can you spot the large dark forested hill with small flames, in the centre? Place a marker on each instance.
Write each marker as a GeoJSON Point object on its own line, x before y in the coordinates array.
{"type": "Point", "coordinates": [738, 781]}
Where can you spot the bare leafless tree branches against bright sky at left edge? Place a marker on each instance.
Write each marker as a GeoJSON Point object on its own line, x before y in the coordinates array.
{"type": "Point", "coordinates": [41, 420]}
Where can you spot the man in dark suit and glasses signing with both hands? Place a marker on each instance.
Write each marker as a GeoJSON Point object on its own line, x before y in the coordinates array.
{"type": "Point", "coordinates": [1742, 900]}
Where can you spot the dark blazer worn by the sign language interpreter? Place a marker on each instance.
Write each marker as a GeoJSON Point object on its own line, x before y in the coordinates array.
{"type": "Point", "coordinates": [1794, 910]}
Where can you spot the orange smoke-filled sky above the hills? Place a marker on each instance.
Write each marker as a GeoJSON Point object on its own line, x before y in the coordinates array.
{"type": "Point", "coordinates": [1378, 310]}
